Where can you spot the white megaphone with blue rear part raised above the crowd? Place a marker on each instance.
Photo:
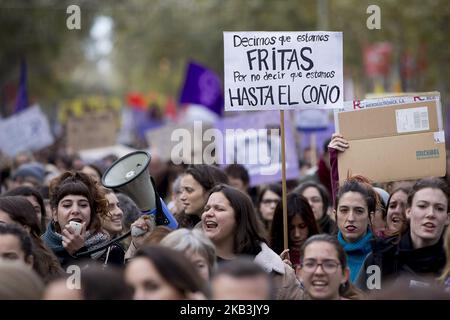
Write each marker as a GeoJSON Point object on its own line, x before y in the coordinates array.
{"type": "Point", "coordinates": [130, 175]}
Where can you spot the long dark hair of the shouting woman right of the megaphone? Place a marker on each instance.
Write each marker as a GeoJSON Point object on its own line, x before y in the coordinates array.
{"type": "Point", "coordinates": [249, 230]}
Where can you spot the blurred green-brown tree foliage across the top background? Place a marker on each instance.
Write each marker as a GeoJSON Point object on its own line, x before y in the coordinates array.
{"type": "Point", "coordinates": [154, 39]}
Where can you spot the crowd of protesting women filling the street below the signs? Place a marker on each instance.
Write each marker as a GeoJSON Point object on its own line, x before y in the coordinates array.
{"type": "Point", "coordinates": [357, 240]}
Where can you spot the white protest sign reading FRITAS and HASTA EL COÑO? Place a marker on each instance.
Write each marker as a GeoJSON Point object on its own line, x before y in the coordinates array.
{"type": "Point", "coordinates": [283, 70]}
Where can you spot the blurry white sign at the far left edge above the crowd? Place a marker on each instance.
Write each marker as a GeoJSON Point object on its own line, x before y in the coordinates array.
{"type": "Point", "coordinates": [28, 130]}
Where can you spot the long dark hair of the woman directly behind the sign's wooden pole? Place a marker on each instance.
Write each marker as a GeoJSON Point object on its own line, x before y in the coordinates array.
{"type": "Point", "coordinates": [296, 205]}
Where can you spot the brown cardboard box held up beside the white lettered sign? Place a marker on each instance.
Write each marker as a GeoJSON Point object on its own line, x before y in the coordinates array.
{"type": "Point", "coordinates": [393, 142]}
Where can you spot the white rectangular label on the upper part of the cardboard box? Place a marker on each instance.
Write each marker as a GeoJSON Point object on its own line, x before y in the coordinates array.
{"type": "Point", "coordinates": [412, 119]}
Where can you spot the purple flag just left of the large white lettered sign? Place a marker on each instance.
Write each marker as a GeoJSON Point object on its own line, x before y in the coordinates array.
{"type": "Point", "coordinates": [202, 86]}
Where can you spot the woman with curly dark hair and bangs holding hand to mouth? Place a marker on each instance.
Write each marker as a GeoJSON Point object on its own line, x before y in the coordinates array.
{"type": "Point", "coordinates": [75, 197]}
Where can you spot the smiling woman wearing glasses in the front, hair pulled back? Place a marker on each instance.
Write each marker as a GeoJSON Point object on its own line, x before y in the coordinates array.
{"type": "Point", "coordinates": [324, 272]}
